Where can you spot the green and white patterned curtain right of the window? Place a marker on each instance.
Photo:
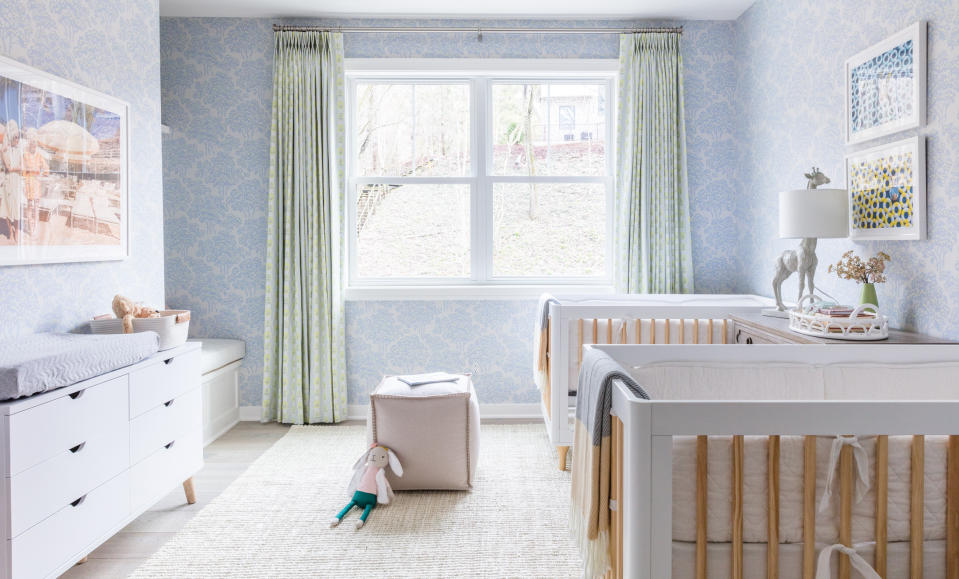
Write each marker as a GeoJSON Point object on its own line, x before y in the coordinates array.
{"type": "Point", "coordinates": [653, 252]}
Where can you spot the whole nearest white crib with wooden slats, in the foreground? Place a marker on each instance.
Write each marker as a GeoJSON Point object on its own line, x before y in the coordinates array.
{"type": "Point", "coordinates": [847, 389]}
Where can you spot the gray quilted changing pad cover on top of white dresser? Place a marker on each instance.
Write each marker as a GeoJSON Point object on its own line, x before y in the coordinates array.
{"type": "Point", "coordinates": [41, 362]}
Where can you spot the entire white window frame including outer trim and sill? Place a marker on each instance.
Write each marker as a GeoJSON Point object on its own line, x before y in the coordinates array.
{"type": "Point", "coordinates": [480, 75]}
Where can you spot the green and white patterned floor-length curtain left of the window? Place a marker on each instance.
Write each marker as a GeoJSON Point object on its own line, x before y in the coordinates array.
{"type": "Point", "coordinates": [304, 377]}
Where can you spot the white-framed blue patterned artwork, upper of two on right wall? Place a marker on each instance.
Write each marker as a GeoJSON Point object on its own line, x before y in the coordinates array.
{"type": "Point", "coordinates": [886, 86]}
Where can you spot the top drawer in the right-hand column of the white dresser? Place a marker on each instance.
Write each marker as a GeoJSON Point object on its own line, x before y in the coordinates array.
{"type": "Point", "coordinates": [159, 383]}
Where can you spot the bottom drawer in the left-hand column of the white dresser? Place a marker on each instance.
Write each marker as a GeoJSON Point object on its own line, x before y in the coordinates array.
{"type": "Point", "coordinates": [44, 547]}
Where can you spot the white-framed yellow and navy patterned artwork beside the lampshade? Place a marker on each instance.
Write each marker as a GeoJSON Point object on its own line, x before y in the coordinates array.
{"type": "Point", "coordinates": [887, 191]}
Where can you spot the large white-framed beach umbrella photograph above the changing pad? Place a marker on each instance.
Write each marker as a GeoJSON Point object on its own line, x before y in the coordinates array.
{"type": "Point", "coordinates": [64, 154]}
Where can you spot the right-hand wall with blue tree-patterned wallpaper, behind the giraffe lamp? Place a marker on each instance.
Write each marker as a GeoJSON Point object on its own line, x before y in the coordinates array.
{"type": "Point", "coordinates": [790, 58]}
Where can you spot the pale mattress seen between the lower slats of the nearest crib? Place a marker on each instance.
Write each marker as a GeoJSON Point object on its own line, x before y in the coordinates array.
{"type": "Point", "coordinates": [718, 557]}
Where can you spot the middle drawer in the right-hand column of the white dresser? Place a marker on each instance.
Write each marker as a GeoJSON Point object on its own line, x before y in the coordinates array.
{"type": "Point", "coordinates": [149, 432]}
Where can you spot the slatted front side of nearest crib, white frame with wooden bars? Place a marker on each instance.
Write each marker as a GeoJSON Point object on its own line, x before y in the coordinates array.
{"type": "Point", "coordinates": [643, 465]}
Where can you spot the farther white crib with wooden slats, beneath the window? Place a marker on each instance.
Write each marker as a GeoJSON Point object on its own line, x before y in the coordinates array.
{"type": "Point", "coordinates": [626, 319]}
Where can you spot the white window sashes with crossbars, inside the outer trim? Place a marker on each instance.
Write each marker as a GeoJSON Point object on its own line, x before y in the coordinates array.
{"type": "Point", "coordinates": [480, 182]}
